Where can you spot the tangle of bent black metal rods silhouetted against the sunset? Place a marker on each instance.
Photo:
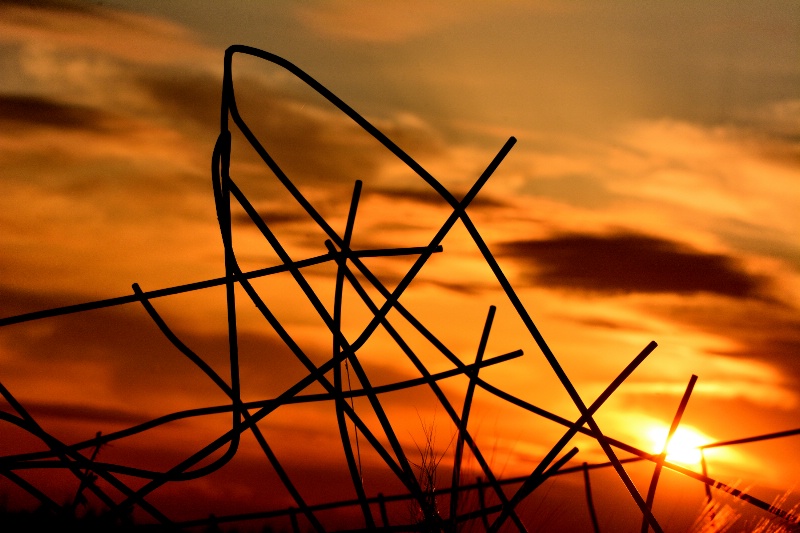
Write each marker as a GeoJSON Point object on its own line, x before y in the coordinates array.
{"type": "Point", "coordinates": [497, 505]}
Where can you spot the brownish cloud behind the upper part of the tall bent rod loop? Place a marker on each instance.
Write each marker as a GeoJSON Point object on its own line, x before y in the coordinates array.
{"type": "Point", "coordinates": [310, 145]}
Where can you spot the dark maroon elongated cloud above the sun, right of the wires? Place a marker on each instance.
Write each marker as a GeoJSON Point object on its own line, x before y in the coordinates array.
{"type": "Point", "coordinates": [624, 263]}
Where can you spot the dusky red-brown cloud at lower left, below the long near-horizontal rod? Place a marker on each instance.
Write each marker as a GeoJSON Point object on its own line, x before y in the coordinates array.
{"type": "Point", "coordinates": [116, 360]}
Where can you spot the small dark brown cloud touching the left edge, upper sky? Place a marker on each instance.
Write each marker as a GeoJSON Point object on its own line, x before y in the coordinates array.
{"type": "Point", "coordinates": [37, 111]}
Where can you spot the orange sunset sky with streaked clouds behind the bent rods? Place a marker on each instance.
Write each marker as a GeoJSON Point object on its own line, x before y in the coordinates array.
{"type": "Point", "coordinates": [652, 194]}
